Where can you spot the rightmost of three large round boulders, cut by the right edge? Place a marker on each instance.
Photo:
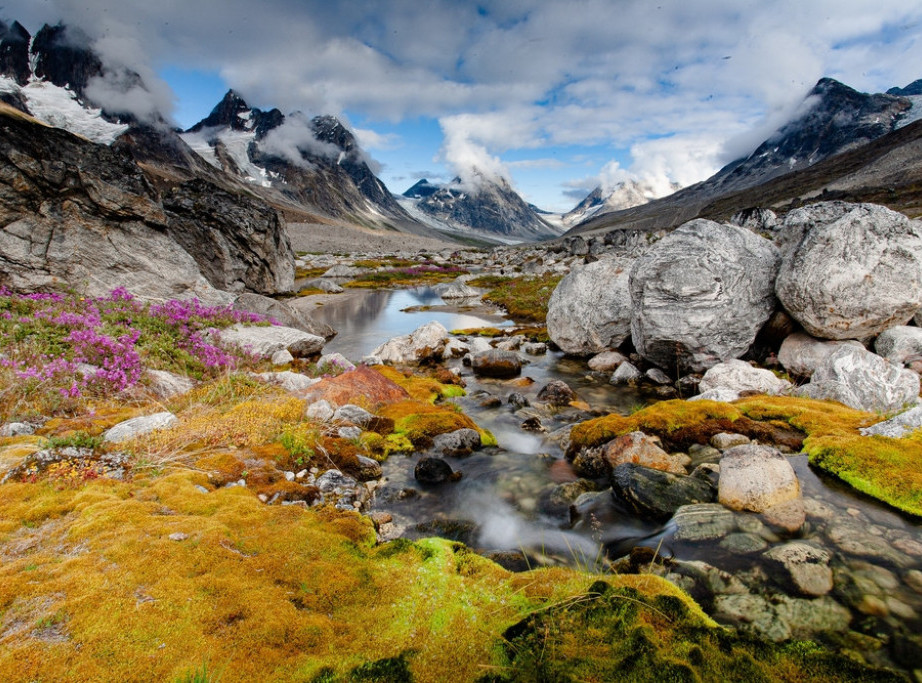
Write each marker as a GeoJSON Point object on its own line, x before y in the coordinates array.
{"type": "Point", "coordinates": [850, 271]}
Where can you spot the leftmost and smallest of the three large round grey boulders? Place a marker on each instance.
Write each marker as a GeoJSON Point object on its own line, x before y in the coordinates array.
{"type": "Point", "coordinates": [590, 310]}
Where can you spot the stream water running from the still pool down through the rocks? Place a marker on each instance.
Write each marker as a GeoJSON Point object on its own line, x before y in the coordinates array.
{"type": "Point", "coordinates": [499, 504]}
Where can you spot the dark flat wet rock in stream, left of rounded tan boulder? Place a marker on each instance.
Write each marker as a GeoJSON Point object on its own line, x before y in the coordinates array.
{"type": "Point", "coordinates": [657, 494]}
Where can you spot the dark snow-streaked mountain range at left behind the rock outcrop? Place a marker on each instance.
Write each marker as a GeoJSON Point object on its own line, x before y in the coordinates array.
{"type": "Point", "coordinates": [308, 166]}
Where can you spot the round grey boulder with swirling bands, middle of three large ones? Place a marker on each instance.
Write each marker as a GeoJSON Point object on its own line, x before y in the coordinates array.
{"type": "Point", "coordinates": [701, 294]}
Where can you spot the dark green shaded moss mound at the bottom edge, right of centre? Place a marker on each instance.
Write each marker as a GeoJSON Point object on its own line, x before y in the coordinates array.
{"type": "Point", "coordinates": [618, 634]}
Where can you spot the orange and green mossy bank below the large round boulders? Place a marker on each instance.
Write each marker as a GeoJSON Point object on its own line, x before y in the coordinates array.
{"type": "Point", "coordinates": [889, 470]}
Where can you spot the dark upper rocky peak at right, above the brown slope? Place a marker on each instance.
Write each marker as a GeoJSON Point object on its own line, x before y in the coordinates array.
{"type": "Point", "coordinates": [834, 119]}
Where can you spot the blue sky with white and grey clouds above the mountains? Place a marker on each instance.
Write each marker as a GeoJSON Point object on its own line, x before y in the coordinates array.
{"type": "Point", "coordinates": [556, 97]}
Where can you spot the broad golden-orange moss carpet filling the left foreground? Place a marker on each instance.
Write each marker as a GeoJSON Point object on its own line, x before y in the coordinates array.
{"type": "Point", "coordinates": [149, 579]}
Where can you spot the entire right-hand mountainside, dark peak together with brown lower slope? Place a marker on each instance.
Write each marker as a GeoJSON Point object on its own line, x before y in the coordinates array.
{"type": "Point", "coordinates": [834, 148]}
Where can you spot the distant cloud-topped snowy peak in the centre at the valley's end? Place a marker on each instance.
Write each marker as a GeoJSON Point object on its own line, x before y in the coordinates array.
{"type": "Point", "coordinates": [491, 208]}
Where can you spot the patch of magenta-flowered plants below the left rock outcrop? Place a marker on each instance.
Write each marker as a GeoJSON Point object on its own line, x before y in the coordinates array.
{"type": "Point", "coordinates": [75, 347]}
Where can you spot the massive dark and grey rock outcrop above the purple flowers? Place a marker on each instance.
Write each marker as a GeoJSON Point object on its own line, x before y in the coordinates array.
{"type": "Point", "coordinates": [71, 210]}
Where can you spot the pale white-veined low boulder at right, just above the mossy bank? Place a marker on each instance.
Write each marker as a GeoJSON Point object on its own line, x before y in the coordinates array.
{"type": "Point", "coordinates": [862, 380]}
